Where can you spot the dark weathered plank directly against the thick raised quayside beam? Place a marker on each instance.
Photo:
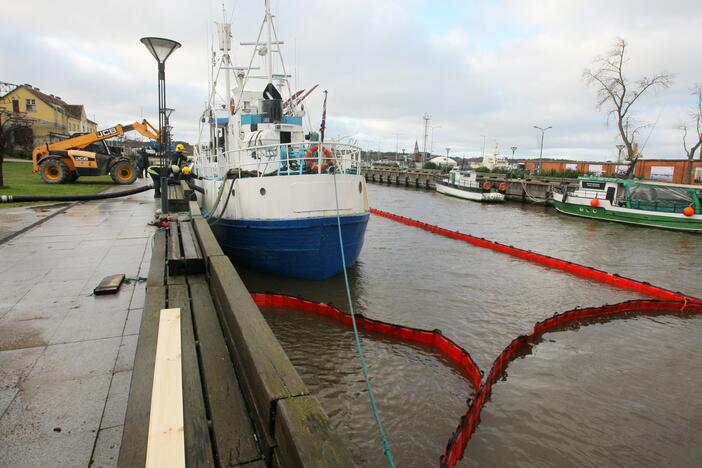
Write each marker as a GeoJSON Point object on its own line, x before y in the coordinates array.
{"type": "Point", "coordinates": [233, 435]}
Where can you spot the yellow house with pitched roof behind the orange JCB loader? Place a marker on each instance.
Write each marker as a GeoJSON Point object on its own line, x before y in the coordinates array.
{"type": "Point", "coordinates": [51, 117]}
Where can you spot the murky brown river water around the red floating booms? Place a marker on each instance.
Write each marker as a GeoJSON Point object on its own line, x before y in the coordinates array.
{"type": "Point", "coordinates": [623, 393]}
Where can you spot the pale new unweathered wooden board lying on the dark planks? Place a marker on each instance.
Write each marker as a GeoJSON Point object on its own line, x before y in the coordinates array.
{"type": "Point", "coordinates": [166, 443]}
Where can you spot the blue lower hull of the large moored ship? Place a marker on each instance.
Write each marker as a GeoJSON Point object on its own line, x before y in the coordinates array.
{"type": "Point", "coordinates": [299, 248]}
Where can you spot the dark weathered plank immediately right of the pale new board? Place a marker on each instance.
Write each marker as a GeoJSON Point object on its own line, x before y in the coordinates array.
{"type": "Point", "coordinates": [198, 445]}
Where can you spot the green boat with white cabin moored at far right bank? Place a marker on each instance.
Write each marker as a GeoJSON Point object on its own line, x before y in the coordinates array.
{"type": "Point", "coordinates": [646, 203]}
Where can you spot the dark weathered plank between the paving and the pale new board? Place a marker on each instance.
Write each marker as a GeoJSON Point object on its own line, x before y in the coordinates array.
{"type": "Point", "coordinates": [136, 421]}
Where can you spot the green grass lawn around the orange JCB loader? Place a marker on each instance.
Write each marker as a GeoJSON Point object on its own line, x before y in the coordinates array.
{"type": "Point", "coordinates": [20, 180]}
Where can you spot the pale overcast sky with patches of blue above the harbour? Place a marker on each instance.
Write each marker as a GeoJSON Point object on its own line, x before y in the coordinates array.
{"type": "Point", "coordinates": [479, 68]}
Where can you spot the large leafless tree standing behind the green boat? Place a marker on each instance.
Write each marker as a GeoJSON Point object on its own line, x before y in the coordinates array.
{"type": "Point", "coordinates": [617, 95]}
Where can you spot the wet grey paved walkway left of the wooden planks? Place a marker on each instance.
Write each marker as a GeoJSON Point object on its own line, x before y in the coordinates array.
{"type": "Point", "coordinates": [65, 355]}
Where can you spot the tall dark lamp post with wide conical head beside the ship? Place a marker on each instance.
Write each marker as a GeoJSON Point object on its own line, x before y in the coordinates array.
{"type": "Point", "coordinates": [161, 49]}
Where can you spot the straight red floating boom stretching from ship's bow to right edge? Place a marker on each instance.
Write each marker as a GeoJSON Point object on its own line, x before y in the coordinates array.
{"type": "Point", "coordinates": [564, 265]}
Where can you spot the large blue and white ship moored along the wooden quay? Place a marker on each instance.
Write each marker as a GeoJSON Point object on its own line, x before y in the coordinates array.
{"type": "Point", "coordinates": [275, 192]}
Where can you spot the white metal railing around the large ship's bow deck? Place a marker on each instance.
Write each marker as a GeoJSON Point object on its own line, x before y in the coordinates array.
{"type": "Point", "coordinates": [280, 159]}
